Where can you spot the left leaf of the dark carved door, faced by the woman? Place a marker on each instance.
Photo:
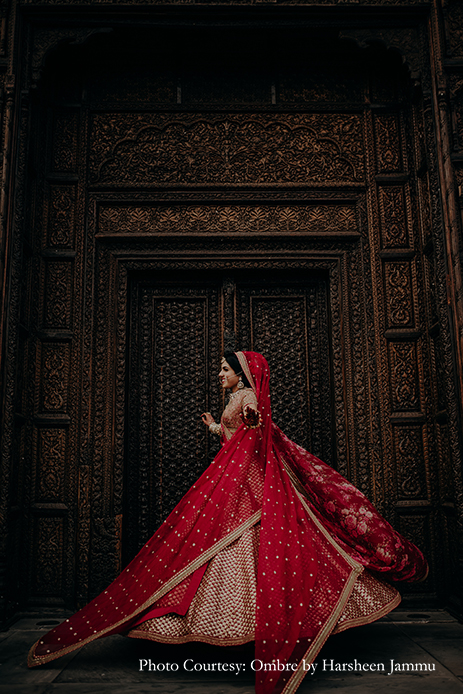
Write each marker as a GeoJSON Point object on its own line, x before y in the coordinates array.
{"type": "Point", "coordinates": [174, 344]}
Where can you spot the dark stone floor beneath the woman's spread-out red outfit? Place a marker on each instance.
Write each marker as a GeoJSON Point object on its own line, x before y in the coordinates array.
{"type": "Point", "coordinates": [112, 665]}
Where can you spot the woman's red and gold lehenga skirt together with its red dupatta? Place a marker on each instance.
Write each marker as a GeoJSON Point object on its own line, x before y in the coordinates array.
{"type": "Point", "coordinates": [270, 544]}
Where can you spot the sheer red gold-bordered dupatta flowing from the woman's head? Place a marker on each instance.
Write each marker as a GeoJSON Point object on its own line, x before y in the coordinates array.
{"type": "Point", "coordinates": [317, 533]}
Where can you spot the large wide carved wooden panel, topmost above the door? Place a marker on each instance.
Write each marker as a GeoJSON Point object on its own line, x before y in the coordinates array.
{"type": "Point", "coordinates": [134, 149]}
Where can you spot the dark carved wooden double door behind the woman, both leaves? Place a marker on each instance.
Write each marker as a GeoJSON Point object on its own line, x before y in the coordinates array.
{"type": "Point", "coordinates": [176, 333]}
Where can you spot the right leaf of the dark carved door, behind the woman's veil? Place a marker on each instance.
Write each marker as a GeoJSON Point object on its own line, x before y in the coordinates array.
{"type": "Point", "coordinates": [285, 318]}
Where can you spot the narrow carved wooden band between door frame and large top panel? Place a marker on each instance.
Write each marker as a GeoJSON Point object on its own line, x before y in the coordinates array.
{"type": "Point", "coordinates": [226, 219]}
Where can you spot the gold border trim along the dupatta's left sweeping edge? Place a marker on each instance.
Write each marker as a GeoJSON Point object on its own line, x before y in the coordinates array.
{"type": "Point", "coordinates": [33, 660]}
